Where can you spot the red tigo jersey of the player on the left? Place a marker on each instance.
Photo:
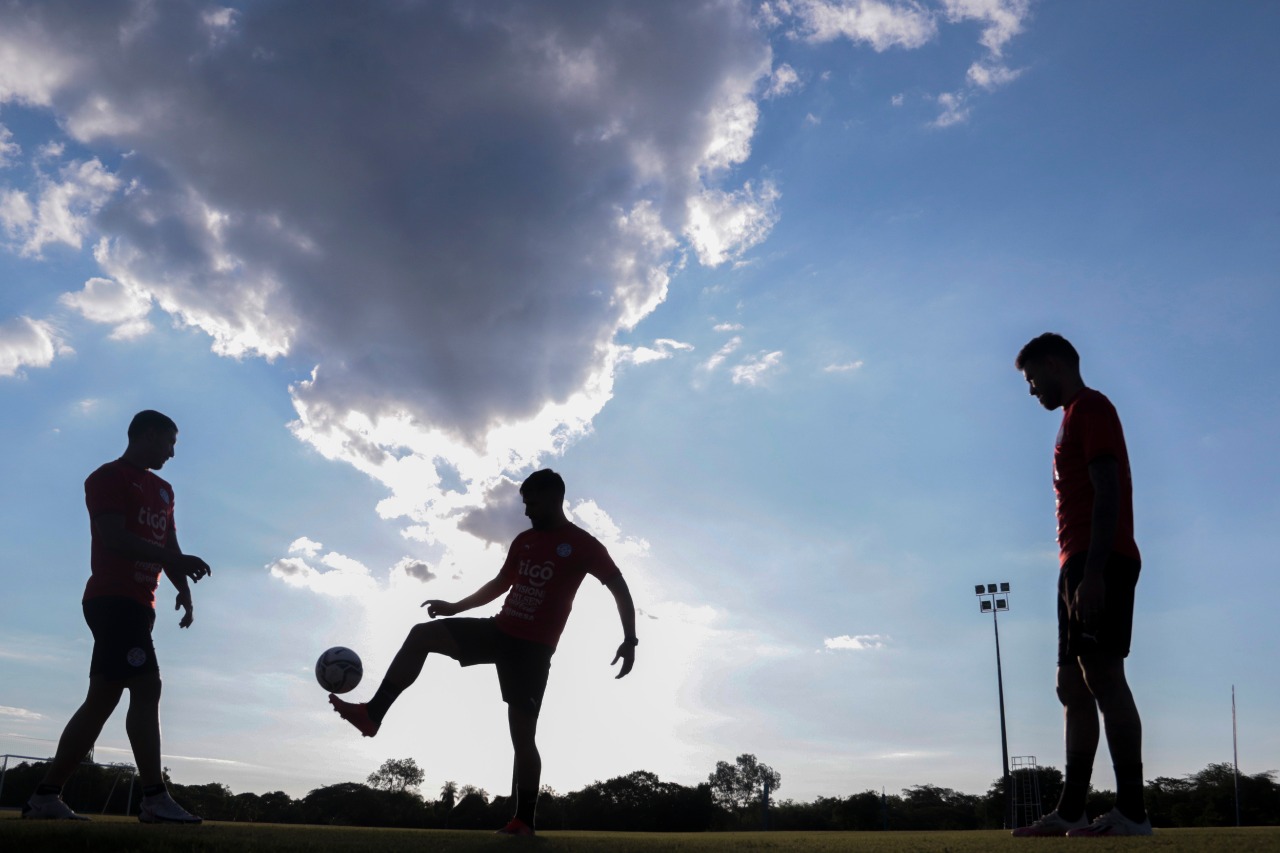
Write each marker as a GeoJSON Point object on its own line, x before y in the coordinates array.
{"type": "Point", "coordinates": [147, 504]}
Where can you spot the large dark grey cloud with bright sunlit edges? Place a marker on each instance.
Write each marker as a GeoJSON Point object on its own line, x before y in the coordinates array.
{"type": "Point", "coordinates": [447, 209]}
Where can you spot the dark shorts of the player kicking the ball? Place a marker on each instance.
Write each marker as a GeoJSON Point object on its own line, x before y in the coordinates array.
{"type": "Point", "coordinates": [523, 665]}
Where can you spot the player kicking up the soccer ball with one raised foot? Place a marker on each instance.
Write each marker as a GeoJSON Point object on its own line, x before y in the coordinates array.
{"type": "Point", "coordinates": [543, 571]}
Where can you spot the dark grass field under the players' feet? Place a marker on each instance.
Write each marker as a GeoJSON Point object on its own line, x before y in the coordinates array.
{"type": "Point", "coordinates": [126, 836]}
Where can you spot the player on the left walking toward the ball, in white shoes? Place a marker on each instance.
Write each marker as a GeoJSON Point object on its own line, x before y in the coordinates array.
{"type": "Point", "coordinates": [134, 542]}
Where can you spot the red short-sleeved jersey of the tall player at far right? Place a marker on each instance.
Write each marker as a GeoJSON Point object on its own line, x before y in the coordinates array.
{"type": "Point", "coordinates": [1091, 430]}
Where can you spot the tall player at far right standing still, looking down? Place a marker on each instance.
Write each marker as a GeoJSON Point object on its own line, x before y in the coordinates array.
{"type": "Point", "coordinates": [1100, 565]}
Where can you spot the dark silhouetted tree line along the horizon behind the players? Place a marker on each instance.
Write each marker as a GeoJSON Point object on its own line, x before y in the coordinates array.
{"type": "Point", "coordinates": [733, 799]}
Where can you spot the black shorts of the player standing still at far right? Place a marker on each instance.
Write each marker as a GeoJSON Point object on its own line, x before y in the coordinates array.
{"type": "Point", "coordinates": [1114, 632]}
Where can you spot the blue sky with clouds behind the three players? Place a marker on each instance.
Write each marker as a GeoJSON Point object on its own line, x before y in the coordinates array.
{"type": "Point", "coordinates": [751, 276]}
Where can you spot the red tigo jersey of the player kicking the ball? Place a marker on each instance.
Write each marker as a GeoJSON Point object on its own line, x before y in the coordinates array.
{"type": "Point", "coordinates": [546, 569]}
